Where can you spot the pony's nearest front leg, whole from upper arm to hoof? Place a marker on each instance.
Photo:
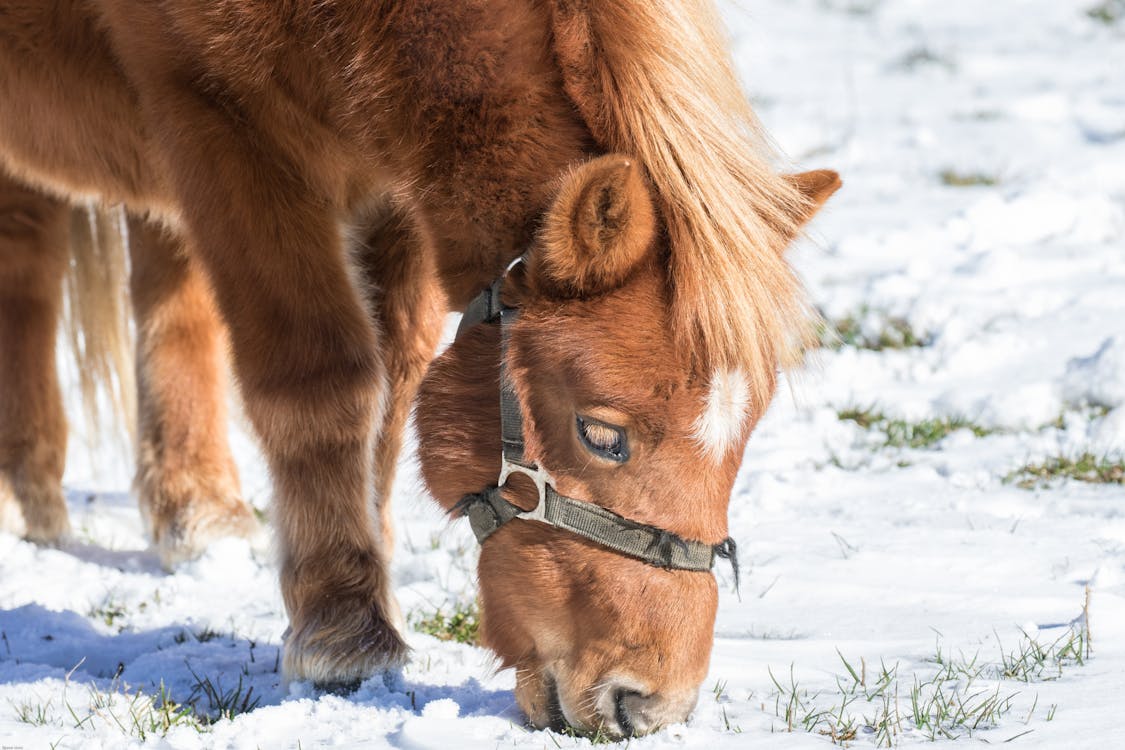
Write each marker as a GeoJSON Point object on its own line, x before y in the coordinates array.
{"type": "Point", "coordinates": [307, 355]}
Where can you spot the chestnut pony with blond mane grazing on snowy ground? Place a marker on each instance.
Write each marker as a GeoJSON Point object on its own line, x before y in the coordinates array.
{"type": "Point", "coordinates": [336, 176]}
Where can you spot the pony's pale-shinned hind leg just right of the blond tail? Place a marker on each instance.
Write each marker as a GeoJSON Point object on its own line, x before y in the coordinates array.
{"type": "Point", "coordinates": [187, 483]}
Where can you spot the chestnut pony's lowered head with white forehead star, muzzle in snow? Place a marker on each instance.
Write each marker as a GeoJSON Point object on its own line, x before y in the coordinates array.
{"type": "Point", "coordinates": [622, 415]}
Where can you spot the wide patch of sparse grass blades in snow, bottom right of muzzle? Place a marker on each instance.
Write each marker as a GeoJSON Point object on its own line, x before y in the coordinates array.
{"type": "Point", "coordinates": [962, 697]}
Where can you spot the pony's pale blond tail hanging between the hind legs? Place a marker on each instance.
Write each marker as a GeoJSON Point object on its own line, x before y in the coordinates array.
{"type": "Point", "coordinates": [97, 319]}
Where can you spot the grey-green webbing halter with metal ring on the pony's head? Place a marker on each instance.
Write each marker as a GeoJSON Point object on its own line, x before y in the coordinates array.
{"type": "Point", "coordinates": [488, 511]}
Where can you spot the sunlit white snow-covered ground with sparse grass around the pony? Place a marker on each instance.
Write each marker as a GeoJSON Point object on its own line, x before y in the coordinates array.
{"type": "Point", "coordinates": [883, 555]}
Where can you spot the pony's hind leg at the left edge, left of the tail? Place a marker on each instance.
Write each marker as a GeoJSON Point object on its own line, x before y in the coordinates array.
{"type": "Point", "coordinates": [33, 426]}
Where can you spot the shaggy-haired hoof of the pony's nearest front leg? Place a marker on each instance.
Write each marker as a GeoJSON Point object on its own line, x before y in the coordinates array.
{"type": "Point", "coordinates": [343, 645]}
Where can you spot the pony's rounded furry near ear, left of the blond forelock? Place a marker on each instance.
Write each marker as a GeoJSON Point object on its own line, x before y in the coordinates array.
{"type": "Point", "coordinates": [600, 228]}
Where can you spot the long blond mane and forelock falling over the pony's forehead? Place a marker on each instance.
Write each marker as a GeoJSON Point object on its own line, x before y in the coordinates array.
{"type": "Point", "coordinates": [655, 80]}
